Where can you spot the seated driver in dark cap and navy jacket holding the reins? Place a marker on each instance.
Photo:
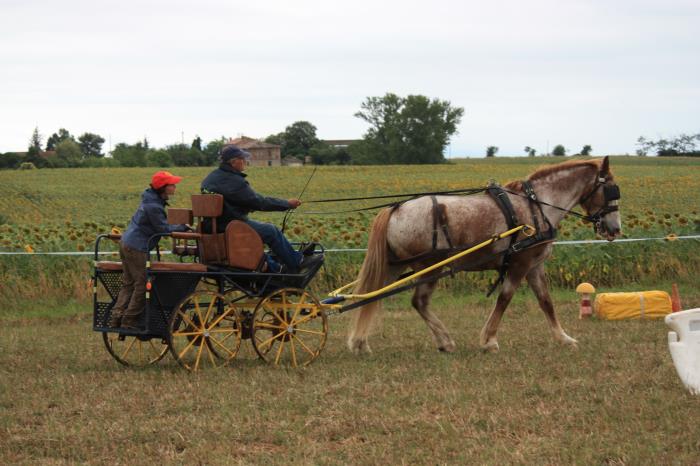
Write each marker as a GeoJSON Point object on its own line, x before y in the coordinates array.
{"type": "Point", "coordinates": [240, 199]}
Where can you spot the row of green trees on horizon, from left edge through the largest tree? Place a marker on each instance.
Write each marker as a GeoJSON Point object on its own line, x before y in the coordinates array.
{"type": "Point", "coordinates": [402, 130]}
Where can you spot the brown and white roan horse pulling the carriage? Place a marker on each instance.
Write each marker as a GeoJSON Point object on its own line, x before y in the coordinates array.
{"type": "Point", "coordinates": [409, 231]}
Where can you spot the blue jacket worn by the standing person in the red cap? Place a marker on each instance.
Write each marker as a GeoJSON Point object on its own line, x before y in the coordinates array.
{"type": "Point", "coordinates": [149, 219]}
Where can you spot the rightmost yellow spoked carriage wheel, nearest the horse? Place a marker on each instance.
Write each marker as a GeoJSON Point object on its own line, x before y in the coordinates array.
{"type": "Point", "coordinates": [289, 328]}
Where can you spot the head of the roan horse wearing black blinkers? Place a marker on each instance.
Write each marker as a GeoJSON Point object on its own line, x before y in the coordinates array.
{"type": "Point", "coordinates": [601, 203]}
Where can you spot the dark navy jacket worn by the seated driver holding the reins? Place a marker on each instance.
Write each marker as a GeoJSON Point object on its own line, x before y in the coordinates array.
{"type": "Point", "coordinates": [239, 197]}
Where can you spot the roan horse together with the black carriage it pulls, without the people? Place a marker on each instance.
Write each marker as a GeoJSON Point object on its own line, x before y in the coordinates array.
{"type": "Point", "coordinates": [219, 293]}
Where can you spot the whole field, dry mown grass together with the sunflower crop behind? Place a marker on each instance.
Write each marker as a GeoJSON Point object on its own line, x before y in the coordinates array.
{"type": "Point", "coordinates": [617, 400]}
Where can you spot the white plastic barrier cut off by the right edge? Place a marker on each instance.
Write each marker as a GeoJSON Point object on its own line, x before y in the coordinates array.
{"type": "Point", "coordinates": [684, 344]}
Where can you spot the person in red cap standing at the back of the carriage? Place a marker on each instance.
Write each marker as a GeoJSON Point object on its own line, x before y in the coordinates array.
{"type": "Point", "coordinates": [150, 218]}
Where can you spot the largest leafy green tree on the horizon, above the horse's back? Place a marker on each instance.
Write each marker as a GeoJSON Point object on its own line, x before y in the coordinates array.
{"type": "Point", "coordinates": [413, 129]}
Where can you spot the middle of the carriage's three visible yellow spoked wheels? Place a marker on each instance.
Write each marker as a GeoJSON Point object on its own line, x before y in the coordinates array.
{"type": "Point", "coordinates": [205, 331]}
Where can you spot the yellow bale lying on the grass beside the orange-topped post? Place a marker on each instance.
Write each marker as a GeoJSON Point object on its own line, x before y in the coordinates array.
{"type": "Point", "coordinates": [636, 305]}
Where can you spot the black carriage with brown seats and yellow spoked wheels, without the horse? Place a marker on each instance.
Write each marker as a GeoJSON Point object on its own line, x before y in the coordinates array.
{"type": "Point", "coordinates": [219, 293]}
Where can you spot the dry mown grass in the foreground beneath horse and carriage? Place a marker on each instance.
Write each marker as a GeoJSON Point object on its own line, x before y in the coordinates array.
{"type": "Point", "coordinates": [615, 401]}
